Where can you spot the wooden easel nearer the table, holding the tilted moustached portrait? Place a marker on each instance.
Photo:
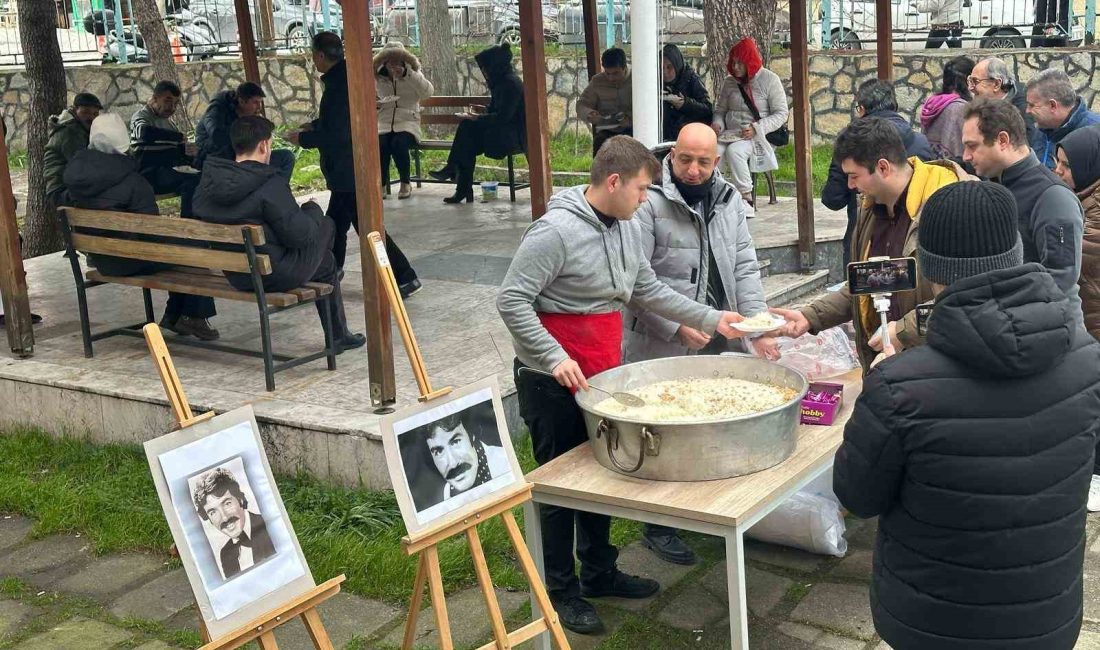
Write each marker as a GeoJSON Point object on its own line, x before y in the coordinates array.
{"type": "Point", "coordinates": [426, 543]}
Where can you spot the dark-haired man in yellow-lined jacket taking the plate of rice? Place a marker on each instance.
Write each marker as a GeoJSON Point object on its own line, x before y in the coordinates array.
{"type": "Point", "coordinates": [873, 156]}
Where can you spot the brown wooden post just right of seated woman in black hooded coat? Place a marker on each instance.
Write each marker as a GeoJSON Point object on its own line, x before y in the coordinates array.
{"type": "Point", "coordinates": [535, 100]}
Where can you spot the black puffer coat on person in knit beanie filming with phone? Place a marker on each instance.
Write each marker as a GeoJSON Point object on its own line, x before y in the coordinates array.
{"type": "Point", "coordinates": [977, 451]}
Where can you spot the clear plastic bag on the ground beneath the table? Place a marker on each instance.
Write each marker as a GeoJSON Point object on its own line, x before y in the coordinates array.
{"type": "Point", "coordinates": [809, 521]}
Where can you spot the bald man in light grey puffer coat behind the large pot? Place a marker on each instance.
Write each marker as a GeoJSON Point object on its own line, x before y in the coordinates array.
{"type": "Point", "coordinates": [697, 239]}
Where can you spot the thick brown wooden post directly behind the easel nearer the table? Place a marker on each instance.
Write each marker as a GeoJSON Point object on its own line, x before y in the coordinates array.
{"type": "Point", "coordinates": [365, 135]}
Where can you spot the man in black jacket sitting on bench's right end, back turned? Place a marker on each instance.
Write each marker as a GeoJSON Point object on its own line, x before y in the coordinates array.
{"type": "Point", "coordinates": [299, 238]}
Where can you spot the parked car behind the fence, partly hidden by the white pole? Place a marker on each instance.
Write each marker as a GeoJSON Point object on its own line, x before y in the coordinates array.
{"type": "Point", "coordinates": [681, 21]}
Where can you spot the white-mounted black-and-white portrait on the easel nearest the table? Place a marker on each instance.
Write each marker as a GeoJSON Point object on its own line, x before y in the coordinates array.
{"type": "Point", "coordinates": [449, 456]}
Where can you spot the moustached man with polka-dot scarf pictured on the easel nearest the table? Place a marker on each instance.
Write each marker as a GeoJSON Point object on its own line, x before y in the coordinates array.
{"type": "Point", "coordinates": [463, 459]}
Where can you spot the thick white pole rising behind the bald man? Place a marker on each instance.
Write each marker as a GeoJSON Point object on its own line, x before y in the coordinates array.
{"type": "Point", "coordinates": [646, 73]}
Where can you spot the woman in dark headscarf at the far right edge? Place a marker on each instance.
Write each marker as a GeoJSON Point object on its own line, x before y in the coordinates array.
{"type": "Point", "coordinates": [1079, 156]}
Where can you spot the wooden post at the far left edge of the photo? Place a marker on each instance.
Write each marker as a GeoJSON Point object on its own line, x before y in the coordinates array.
{"type": "Point", "coordinates": [17, 304]}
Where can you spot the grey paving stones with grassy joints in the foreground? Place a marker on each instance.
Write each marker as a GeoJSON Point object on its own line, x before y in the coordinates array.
{"type": "Point", "coordinates": [54, 596]}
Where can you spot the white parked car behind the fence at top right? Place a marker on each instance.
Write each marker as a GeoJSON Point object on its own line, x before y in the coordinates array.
{"type": "Point", "coordinates": [987, 24]}
